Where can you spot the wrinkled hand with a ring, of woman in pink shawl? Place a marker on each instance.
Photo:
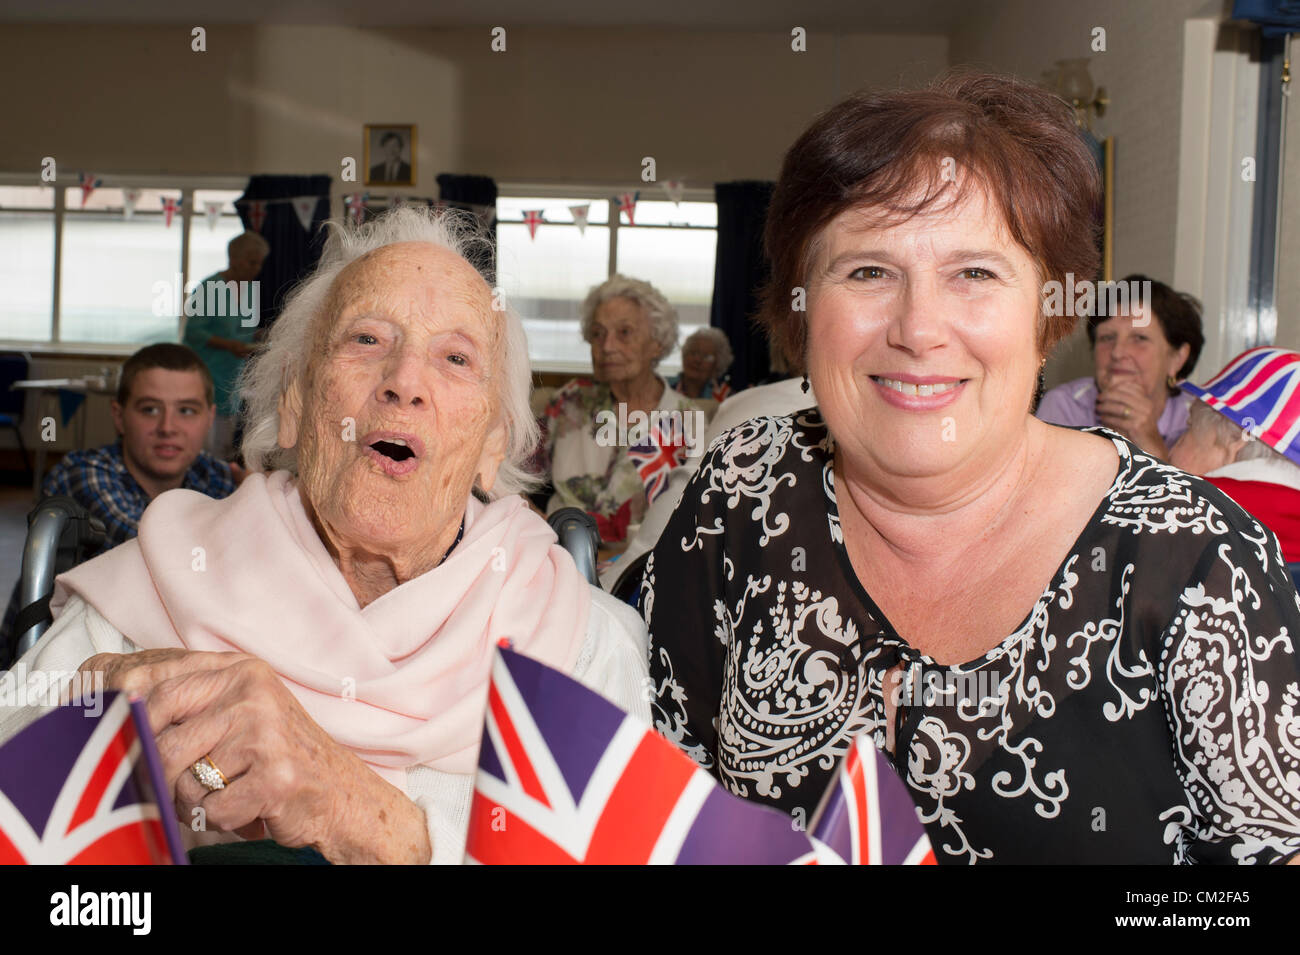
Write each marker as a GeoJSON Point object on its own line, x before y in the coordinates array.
{"type": "Point", "coordinates": [285, 775]}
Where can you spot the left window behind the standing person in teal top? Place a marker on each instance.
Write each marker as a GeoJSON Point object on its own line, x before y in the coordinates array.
{"type": "Point", "coordinates": [116, 275]}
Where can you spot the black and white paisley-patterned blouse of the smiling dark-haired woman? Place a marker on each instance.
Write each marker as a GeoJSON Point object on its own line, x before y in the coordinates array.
{"type": "Point", "coordinates": [1146, 710]}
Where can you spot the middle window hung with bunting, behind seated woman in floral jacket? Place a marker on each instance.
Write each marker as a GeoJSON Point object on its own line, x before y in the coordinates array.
{"type": "Point", "coordinates": [547, 279]}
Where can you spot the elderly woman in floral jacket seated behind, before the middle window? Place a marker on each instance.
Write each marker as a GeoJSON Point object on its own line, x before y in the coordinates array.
{"type": "Point", "coordinates": [631, 328]}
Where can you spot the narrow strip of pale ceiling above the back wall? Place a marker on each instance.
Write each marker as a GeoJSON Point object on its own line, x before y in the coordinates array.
{"type": "Point", "coordinates": [857, 16]}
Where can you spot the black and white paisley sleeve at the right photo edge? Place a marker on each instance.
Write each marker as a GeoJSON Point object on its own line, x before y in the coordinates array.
{"type": "Point", "coordinates": [1230, 679]}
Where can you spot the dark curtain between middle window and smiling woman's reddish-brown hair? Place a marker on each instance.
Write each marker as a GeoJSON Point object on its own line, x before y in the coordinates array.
{"type": "Point", "coordinates": [740, 272]}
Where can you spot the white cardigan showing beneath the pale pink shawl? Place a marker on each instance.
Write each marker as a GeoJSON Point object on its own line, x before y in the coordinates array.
{"type": "Point", "coordinates": [612, 662]}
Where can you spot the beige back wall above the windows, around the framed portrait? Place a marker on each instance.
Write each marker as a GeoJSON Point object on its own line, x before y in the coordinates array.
{"type": "Point", "coordinates": [580, 106]}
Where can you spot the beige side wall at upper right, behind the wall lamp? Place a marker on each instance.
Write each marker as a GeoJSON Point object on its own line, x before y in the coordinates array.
{"type": "Point", "coordinates": [1142, 71]}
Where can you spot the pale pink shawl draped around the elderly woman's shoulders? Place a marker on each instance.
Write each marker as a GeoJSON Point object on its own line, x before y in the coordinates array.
{"type": "Point", "coordinates": [402, 681]}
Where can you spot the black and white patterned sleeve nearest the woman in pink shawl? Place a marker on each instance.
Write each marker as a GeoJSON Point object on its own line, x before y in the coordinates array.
{"type": "Point", "coordinates": [683, 604]}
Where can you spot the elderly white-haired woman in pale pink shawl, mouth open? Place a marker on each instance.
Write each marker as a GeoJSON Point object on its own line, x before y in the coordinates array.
{"type": "Point", "coordinates": [315, 650]}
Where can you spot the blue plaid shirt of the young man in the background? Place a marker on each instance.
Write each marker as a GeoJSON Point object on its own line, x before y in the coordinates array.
{"type": "Point", "coordinates": [99, 481]}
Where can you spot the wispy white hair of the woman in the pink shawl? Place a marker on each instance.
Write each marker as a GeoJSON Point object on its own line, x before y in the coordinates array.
{"type": "Point", "coordinates": [283, 359]}
